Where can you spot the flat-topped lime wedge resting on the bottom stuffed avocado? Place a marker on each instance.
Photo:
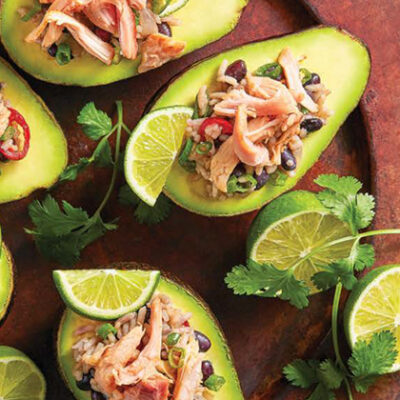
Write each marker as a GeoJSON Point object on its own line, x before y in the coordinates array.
{"type": "Point", "coordinates": [106, 294]}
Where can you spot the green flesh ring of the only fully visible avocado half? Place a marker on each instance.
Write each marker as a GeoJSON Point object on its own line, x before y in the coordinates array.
{"type": "Point", "coordinates": [342, 62]}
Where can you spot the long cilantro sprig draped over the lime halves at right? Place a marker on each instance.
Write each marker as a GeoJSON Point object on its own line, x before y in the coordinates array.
{"type": "Point", "coordinates": [342, 197]}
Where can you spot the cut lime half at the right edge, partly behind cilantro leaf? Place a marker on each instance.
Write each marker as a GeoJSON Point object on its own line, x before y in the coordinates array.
{"type": "Point", "coordinates": [374, 306]}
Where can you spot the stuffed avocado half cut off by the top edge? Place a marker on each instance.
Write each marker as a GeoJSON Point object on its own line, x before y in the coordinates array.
{"type": "Point", "coordinates": [94, 42]}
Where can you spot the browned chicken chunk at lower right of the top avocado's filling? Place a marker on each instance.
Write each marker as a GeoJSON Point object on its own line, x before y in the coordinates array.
{"type": "Point", "coordinates": [158, 49]}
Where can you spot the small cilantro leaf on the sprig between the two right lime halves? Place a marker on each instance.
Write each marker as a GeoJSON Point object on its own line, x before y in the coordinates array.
{"type": "Point", "coordinates": [338, 271]}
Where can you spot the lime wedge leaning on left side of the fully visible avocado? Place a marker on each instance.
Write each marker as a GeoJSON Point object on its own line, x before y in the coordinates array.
{"type": "Point", "coordinates": [152, 149]}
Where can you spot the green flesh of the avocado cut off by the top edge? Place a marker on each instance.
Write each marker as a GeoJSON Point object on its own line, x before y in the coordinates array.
{"type": "Point", "coordinates": [203, 22]}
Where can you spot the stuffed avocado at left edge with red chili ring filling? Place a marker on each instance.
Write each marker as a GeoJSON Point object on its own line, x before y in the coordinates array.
{"type": "Point", "coordinates": [33, 150]}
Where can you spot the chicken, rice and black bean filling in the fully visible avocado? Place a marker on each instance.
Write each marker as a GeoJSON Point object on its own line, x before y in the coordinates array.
{"type": "Point", "coordinates": [249, 126]}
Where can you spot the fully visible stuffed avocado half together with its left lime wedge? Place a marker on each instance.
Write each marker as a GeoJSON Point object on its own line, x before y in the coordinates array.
{"type": "Point", "coordinates": [263, 114]}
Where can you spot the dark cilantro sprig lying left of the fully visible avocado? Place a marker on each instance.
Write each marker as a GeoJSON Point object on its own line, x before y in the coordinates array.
{"type": "Point", "coordinates": [61, 233]}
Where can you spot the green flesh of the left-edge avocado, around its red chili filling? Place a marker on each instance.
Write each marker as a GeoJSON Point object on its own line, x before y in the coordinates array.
{"type": "Point", "coordinates": [47, 154]}
